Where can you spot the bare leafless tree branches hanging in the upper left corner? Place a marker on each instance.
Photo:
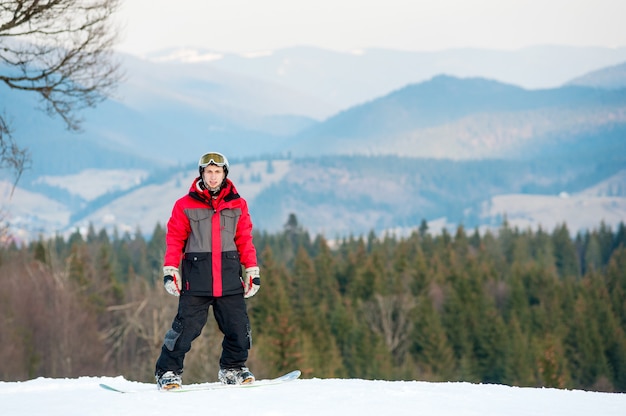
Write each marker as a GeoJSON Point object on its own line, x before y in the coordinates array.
{"type": "Point", "coordinates": [60, 50]}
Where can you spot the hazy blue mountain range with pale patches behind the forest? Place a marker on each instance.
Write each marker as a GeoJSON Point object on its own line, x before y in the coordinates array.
{"type": "Point", "coordinates": [348, 142]}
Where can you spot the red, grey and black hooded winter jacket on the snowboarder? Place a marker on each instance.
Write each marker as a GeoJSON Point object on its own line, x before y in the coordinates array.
{"type": "Point", "coordinates": [213, 238]}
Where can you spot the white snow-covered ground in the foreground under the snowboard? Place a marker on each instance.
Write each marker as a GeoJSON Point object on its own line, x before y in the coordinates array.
{"type": "Point", "coordinates": [83, 396]}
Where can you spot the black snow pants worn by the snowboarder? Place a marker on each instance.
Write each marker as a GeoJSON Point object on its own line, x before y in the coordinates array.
{"type": "Point", "coordinates": [231, 315]}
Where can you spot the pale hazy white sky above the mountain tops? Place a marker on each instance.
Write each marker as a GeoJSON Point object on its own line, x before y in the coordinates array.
{"type": "Point", "coordinates": [343, 25]}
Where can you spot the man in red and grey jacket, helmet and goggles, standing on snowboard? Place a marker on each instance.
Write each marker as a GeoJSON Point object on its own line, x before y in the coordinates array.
{"type": "Point", "coordinates": [210, 231]}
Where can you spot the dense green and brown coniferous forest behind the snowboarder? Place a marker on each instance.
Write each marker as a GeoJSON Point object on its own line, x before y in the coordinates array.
{"type": "Point", "coordinates": [517, 307]}
